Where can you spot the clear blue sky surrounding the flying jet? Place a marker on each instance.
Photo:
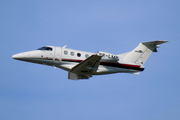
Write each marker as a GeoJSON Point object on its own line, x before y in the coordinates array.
{"type": "Point", "coordinates": [36, 92]}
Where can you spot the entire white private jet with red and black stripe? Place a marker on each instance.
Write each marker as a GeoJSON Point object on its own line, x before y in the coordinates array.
{"type": "Point", "coordinates": [83, 65]}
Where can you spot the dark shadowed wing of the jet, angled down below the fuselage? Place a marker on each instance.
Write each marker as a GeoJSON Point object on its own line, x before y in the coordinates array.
{"type": "Point", "coordinates": [85, 69]}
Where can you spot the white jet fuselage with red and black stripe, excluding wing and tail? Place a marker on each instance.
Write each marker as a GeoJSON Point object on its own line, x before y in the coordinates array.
{"type": "Point", "coordinates": [66, 59]}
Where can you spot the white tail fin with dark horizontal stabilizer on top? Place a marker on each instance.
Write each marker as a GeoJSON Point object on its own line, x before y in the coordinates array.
{"type": "Point", "coordinates": [141, 53]}
